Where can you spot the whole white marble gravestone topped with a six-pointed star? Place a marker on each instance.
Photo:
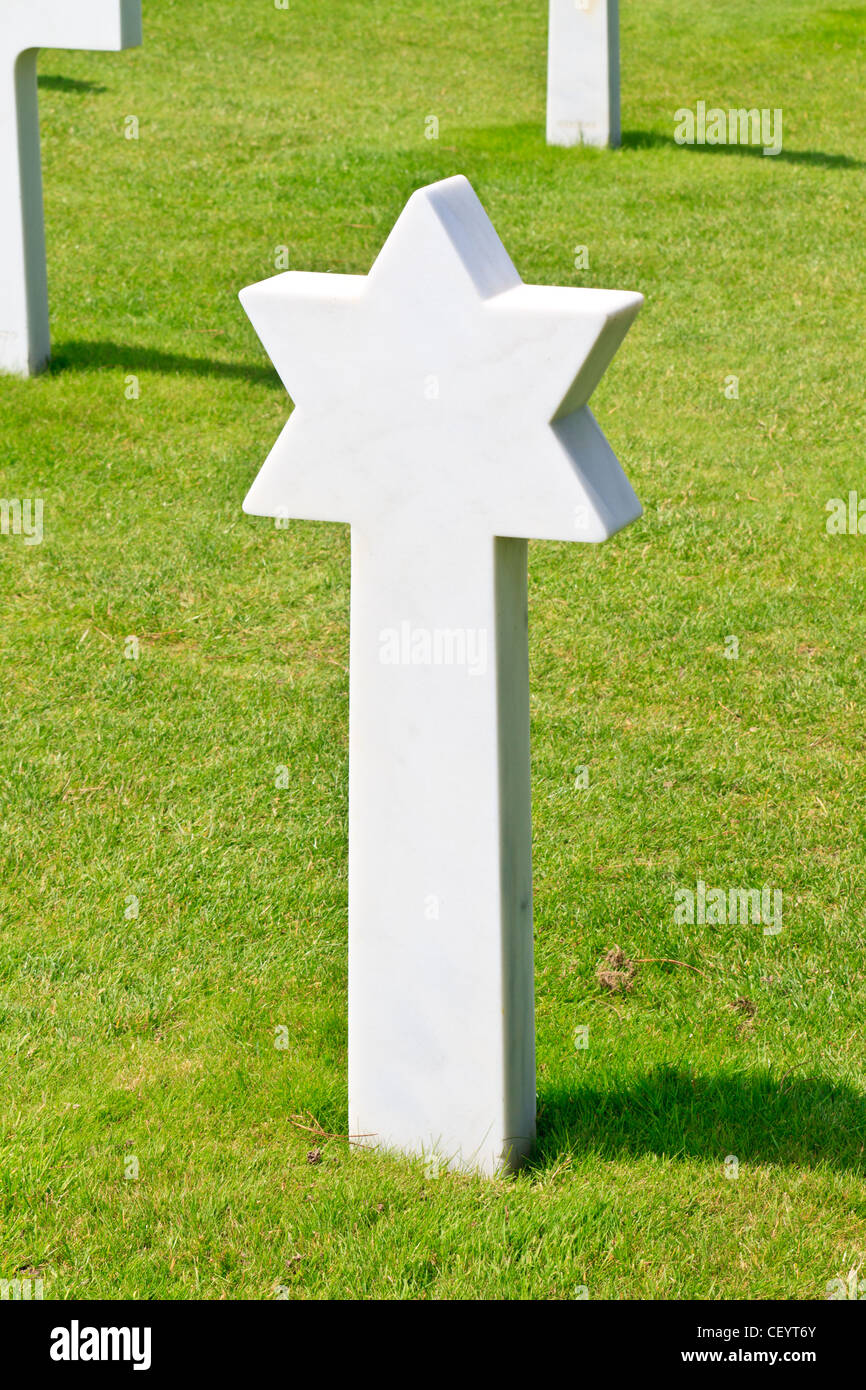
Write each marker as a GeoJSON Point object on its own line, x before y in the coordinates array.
{"type": "Point", "coordinates": [441, 409]}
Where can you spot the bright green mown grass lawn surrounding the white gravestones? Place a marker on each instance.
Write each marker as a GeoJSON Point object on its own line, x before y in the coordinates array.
{"type": "Point", "coordinates": [155, 1036]}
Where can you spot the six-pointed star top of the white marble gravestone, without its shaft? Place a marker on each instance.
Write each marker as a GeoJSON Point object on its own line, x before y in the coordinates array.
{"type": "Point", "coordinates": [441, 390]}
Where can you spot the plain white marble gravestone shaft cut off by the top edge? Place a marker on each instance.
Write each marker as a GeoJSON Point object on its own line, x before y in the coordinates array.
{"type": "Point", "coordinates": [585, 73]}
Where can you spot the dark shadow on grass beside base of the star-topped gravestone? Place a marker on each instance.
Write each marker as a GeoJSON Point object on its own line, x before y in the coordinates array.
{"type": "Point", "coordinates": [678, 1114]}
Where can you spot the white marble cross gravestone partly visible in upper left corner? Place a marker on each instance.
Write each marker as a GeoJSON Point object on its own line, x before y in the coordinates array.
{"type": "Point", "coordinates": [26, 27]}
